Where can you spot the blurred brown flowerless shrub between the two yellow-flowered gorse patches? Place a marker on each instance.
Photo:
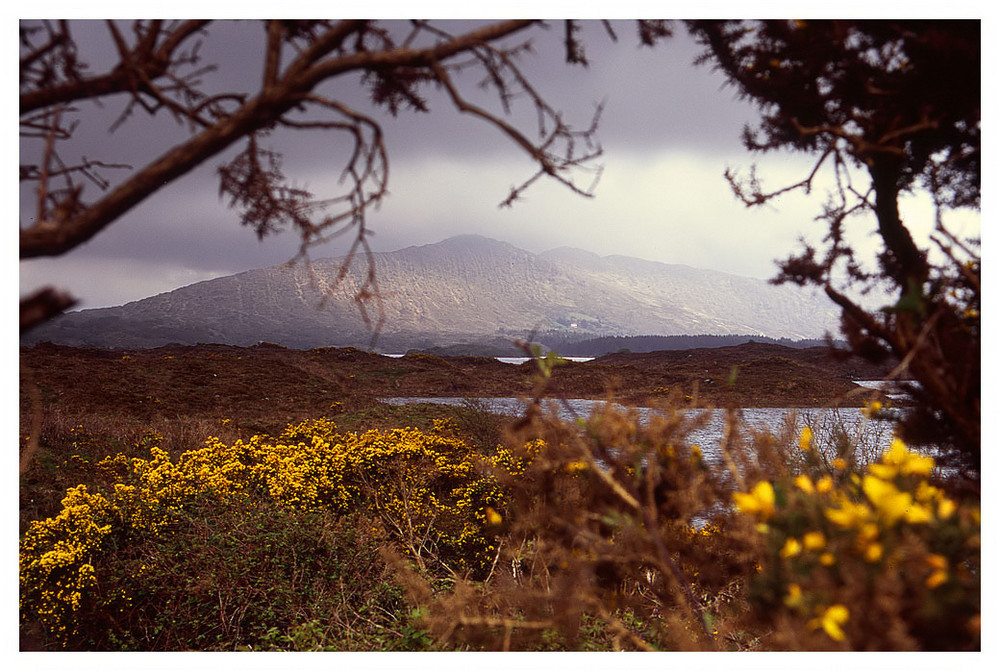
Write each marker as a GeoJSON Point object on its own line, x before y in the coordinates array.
{"type": "Point", "coordinates": [610, 538]}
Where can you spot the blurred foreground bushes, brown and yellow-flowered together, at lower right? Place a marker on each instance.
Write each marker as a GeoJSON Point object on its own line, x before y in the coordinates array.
{"type": "Point", "coordinates": [622, 532]}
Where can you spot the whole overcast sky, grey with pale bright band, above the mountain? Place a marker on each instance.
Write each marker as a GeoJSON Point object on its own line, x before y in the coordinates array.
{"type": "Point", "coordinates": [669, 130]}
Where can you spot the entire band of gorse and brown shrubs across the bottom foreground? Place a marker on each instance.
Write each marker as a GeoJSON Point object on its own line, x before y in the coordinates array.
{"type": "Point", "coordinates": [605, 532]}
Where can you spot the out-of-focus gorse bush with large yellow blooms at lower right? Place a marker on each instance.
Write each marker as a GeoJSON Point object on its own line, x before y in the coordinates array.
{"type": "Point", "coordinates": [849, 554]}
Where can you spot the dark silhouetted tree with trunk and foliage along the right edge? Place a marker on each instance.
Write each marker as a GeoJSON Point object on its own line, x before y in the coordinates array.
{"type": "Point", "coordinates": [889, 107]}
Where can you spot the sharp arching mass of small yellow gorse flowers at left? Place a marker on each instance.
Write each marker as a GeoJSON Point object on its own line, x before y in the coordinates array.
{"type": "Point", "coordinates": [429, 488]}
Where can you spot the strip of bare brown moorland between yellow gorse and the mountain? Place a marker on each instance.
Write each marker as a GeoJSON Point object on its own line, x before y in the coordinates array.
{"type": "Point", "coordinates": [268, 381]}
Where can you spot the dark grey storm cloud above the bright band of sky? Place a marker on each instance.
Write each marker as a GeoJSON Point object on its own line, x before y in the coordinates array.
{"type": "Point", "coordinates": [643, 88]}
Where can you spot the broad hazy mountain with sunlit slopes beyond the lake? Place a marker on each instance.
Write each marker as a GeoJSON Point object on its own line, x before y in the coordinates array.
{"type": "Point", "coordinates": [464, 289]}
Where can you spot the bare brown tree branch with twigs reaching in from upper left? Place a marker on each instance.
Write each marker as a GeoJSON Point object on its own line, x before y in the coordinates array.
{"type": "Point", "coordinates": [159, 69]}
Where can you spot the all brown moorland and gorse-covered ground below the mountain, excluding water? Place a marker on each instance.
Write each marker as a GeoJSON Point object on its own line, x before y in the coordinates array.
{"type": "Point", "coordinates": [224, 498]}
